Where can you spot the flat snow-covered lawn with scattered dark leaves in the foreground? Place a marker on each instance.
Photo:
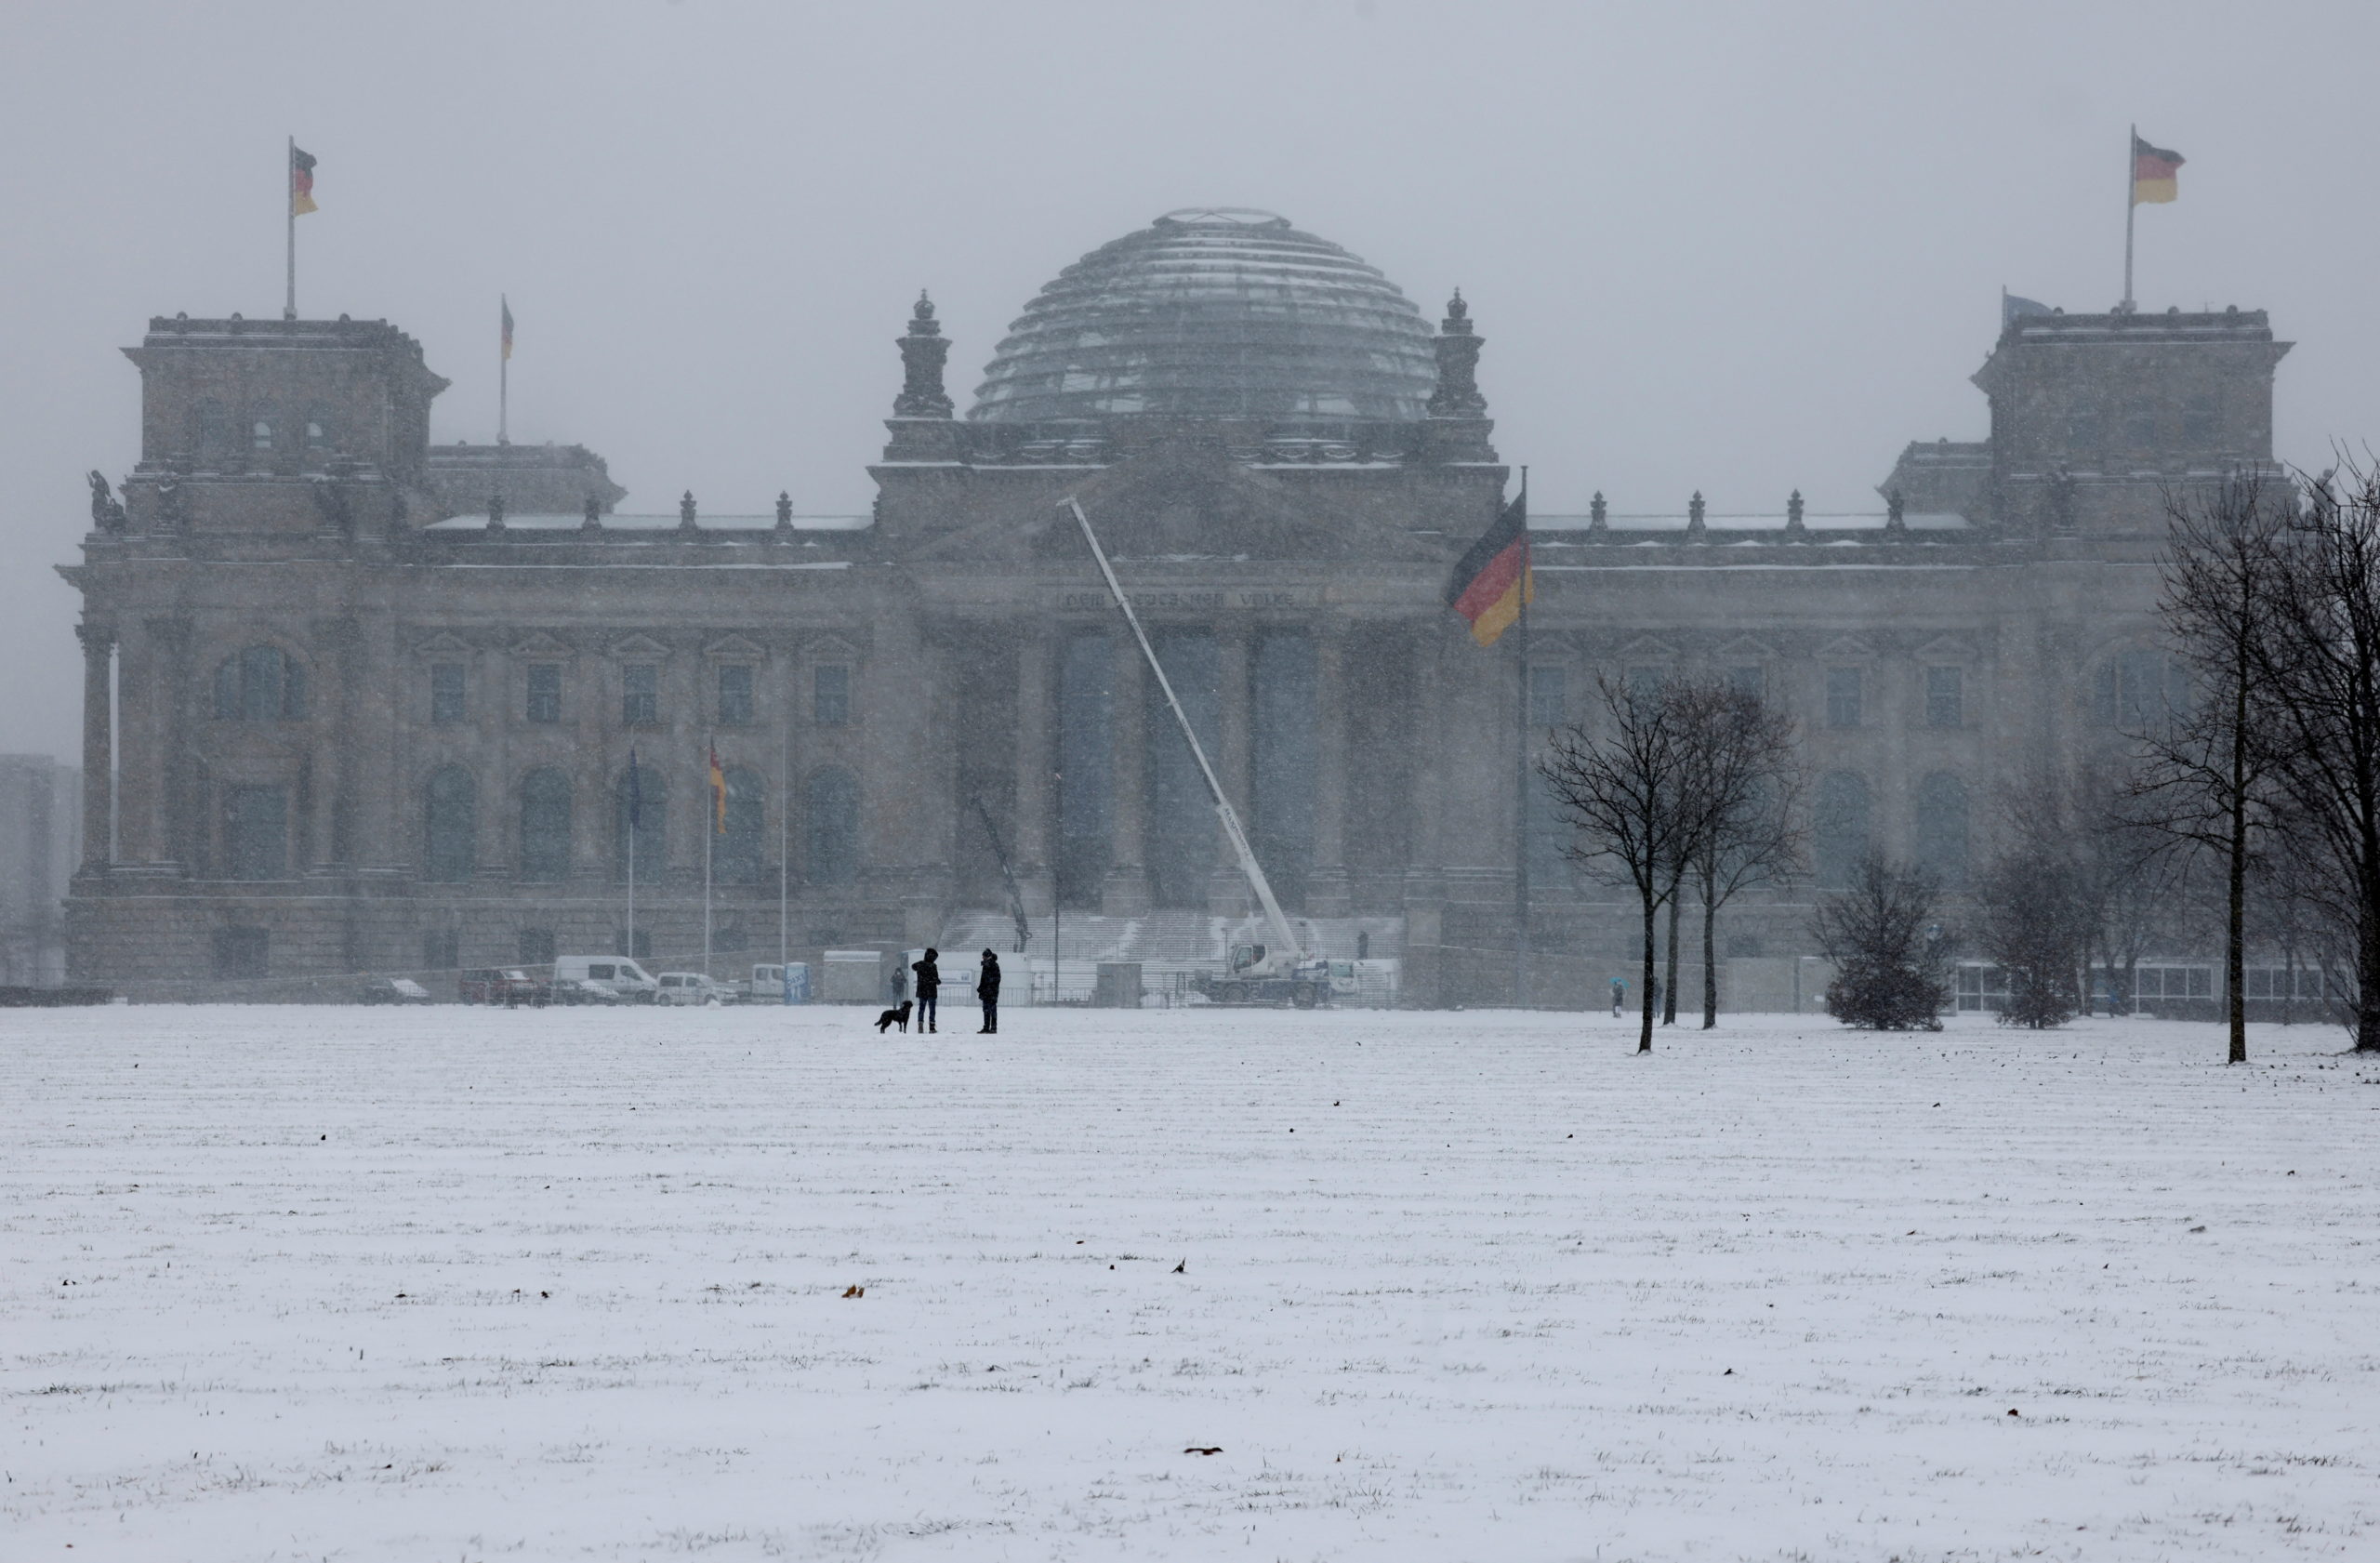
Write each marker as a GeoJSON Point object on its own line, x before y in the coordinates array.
{"type": "Point", "coordinates": [334, 1283]}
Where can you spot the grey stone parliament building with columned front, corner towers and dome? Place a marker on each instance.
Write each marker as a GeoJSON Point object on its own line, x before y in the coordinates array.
{"type": "Point", "coordinates": [368, 734]}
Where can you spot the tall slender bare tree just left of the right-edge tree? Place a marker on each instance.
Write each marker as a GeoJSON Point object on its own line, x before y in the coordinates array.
{"type": "Point", "coordinates": [2229, 565]}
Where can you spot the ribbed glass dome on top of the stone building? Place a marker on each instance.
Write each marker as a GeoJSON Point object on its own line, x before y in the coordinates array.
{"type": "Point", "coordinates": [1215, 313]}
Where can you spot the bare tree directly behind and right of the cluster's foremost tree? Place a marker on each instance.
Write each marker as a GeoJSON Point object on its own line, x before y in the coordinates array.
{"type": "Point", "coordinates": [1746, 786]}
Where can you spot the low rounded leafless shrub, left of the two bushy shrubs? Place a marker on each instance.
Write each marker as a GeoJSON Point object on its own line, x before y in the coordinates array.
{"type": "Point", "coordinates": [1886, 948]}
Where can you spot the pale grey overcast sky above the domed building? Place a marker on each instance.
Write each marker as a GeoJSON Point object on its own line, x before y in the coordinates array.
{"type": "Point", "coordinates": [1739, 249]}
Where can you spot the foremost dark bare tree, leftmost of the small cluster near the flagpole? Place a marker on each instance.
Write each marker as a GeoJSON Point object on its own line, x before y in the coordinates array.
{"type": "Point", "coordinates": [1627, 798]}
